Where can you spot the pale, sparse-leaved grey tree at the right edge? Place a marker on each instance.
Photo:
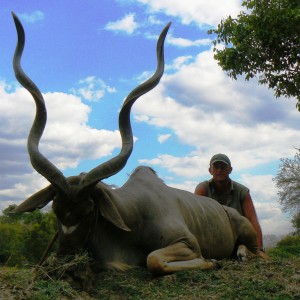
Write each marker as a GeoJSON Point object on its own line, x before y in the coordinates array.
{"type": "Point", "coordinates": [287, 181]}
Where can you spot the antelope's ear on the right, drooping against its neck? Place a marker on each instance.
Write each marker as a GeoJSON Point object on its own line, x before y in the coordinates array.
{"type": "Point", "coordinates": [107, 208]}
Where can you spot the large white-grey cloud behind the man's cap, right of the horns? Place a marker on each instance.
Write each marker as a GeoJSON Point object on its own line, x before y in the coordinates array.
{"type": "Point", "coordinates": [220, 116]}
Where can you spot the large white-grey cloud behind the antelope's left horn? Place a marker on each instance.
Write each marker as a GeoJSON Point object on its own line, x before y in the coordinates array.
{"type": "Point", "coordinates": [66, 141]}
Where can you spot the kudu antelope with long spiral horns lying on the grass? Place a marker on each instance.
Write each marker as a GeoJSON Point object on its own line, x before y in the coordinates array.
{"type": "Point", "coordinates": [145, 222]}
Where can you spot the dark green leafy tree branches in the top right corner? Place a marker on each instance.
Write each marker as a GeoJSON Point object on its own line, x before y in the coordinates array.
{"type": "Point", "coordinates": [264, 40]}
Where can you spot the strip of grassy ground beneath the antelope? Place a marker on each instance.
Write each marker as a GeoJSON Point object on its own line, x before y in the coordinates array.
{"type": "Point", "coordinates": [278, 278]}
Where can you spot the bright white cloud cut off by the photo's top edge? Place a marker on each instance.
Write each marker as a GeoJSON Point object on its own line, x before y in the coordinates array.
{"type": "Point", "coordinates": [198, 11]}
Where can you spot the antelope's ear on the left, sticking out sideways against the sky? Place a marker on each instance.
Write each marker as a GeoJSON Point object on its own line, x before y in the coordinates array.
{"type": "Point", "coordinates": [37, 200]}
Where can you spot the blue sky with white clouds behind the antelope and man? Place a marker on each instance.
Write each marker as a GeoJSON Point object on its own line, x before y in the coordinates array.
{"type": "Point", "coordinates": [86, 56]}
